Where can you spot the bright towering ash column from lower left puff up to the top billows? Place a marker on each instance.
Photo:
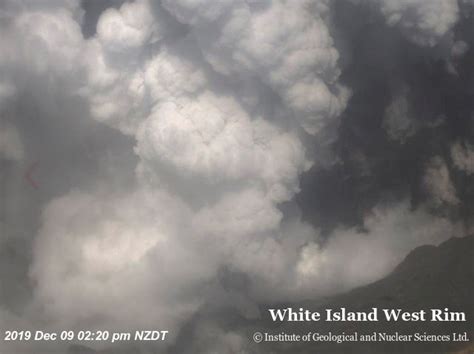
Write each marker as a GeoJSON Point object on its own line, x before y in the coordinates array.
{"type": "Point", "coordinates": [206, 146]}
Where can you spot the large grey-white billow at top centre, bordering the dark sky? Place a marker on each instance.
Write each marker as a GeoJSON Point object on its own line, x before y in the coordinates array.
{"type": "Point", "coordinates": [296, 57]}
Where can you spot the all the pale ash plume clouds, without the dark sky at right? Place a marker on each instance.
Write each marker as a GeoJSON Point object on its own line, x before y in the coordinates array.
{"type": "Point", "coordinates": [217, 100]}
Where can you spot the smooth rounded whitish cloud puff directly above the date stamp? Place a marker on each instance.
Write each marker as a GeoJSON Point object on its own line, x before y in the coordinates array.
{"type": "Point", "coordinates": [129, 259]}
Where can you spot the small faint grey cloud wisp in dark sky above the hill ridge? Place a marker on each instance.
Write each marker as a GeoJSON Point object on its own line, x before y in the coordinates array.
{"type": "Point", "coordinates": [437, 182]}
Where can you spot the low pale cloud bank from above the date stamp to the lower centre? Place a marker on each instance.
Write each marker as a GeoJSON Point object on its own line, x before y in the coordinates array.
{"type": "Point", "coordinates": [147, 259]}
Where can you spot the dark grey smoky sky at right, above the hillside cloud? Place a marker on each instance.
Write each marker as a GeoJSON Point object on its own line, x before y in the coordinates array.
{"type": "Point", "coordinates": [408, 107]}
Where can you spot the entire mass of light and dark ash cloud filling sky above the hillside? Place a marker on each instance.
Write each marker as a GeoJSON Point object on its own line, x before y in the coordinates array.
{"type": "Point", "coordinates": [170, 143]}
